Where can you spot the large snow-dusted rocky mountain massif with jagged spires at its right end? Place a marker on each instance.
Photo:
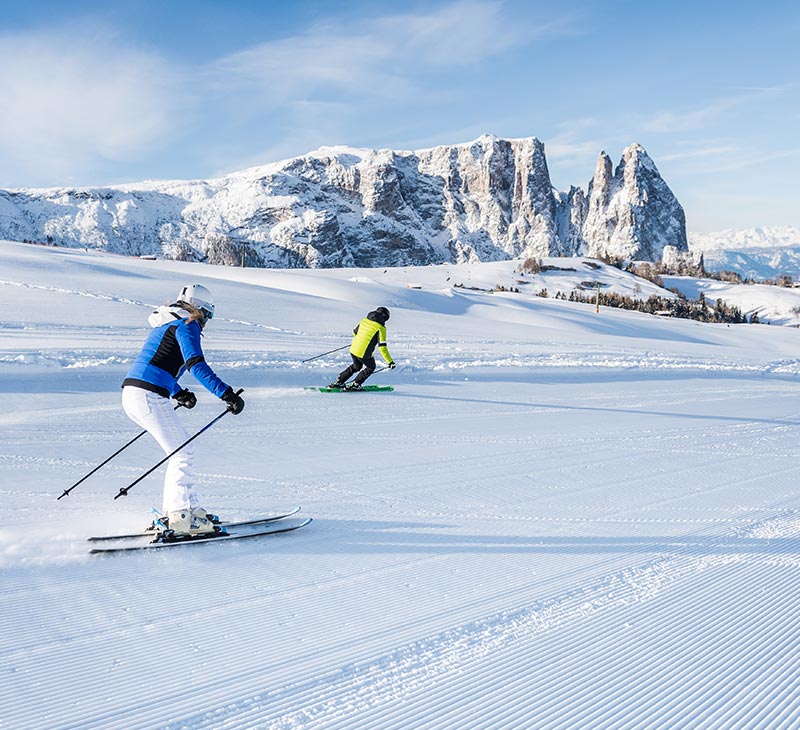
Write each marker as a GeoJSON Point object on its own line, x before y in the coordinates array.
{"type": "Point", "coordinates": [487, 200]}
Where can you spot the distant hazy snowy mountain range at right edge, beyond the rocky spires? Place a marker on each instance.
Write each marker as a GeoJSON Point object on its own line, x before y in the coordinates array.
{"type": "Point", "coordinates": [758, 253]}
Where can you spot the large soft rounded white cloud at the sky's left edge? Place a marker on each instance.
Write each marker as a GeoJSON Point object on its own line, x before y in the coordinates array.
{"type": "Point", "coordinates": [78, 97]}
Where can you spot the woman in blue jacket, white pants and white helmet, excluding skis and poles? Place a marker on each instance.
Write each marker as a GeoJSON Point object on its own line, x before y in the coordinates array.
{"type": "Point", "coordinates": [172, 348]}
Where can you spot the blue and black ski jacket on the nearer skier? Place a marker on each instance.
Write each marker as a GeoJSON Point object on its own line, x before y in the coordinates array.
{"type": "Point", "coordinates": [169, 351]}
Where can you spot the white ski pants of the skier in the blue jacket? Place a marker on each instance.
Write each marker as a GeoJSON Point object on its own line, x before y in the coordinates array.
{"type": "Point", "coordinates": [157, 415]}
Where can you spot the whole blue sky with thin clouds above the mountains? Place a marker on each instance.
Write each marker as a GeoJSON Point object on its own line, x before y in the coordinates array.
{"type": "Point", "coordinates": [98, 93]}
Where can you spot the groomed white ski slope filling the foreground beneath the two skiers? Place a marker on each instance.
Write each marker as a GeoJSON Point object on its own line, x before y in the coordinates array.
{"type": "Point", "coordinates": [558, 519]}
